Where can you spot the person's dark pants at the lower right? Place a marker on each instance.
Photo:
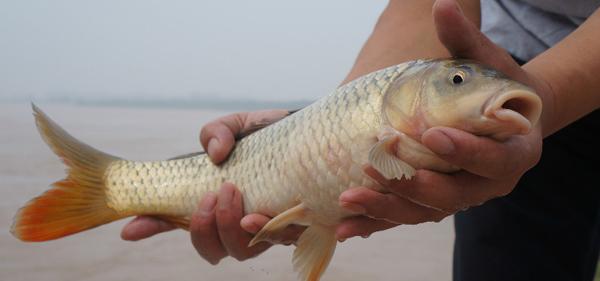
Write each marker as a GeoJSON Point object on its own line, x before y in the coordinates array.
{"type": "Point", "coordinates": [548, 228]}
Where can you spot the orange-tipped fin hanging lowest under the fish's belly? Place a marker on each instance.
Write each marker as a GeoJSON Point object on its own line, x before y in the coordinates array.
{"type": "Point", "coordinates": [314, 251]}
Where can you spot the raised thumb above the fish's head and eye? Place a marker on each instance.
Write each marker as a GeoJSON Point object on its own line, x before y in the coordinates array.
{"type": "Point", "coordinates": [464, 39]}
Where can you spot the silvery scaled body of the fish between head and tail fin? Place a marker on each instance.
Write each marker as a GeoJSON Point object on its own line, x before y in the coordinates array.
{"type": "Point", "coordinates": [286, 183]}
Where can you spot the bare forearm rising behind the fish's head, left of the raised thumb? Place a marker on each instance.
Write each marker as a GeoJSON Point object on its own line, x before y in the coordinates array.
{"type": "Point", "coordinates": [405, 31]}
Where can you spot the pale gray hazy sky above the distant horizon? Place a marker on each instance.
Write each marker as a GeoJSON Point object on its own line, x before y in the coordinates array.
{"type": "Point", "coordinates": [273, 50]}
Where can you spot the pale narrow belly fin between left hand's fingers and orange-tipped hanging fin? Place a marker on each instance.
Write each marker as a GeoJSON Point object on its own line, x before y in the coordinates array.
{"type": "Point", "coordinates": [295, 215]}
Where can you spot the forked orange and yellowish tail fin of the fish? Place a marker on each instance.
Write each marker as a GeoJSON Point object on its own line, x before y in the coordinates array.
{"type": "Point", "coordinates": [75, 203]}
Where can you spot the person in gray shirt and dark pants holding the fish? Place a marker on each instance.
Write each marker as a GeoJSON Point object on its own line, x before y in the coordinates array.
{"type": "Point", "coordinates": [536, 224]}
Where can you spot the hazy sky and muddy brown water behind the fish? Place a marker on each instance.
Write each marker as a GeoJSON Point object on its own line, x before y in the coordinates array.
{"type": "Point", "coordinates": [138, 79]}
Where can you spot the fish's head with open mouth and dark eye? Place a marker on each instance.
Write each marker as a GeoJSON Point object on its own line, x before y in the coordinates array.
{"type": "Point", "coordinates": [462, 94]}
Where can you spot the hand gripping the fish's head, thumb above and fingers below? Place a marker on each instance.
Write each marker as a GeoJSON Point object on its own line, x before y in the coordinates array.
{"type": "Point", "coordinates": [489, 168]}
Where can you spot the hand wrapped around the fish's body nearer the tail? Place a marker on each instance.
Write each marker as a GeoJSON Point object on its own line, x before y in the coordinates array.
{"type": "Point", "coordinates": [217, 228]}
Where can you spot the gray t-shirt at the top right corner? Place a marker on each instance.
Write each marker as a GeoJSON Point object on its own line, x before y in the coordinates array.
{"type": "Point", "coordinates": [528, 27]}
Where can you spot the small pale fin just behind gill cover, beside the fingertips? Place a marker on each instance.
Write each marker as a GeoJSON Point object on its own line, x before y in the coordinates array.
{"type": "Point", "coordinates": [383, 158]}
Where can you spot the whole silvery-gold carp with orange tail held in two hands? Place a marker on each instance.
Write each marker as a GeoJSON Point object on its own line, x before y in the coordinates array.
{"type": "Point", "coordinates": [294, 169]}
